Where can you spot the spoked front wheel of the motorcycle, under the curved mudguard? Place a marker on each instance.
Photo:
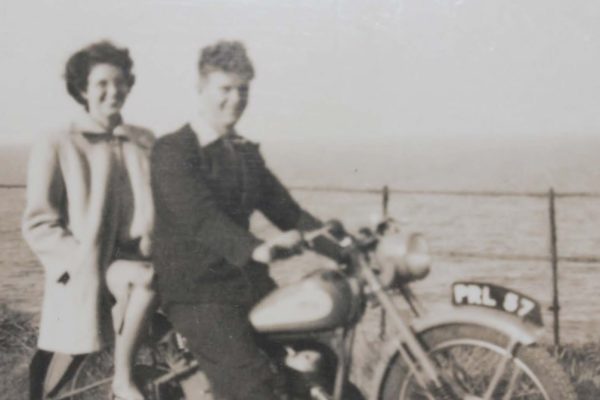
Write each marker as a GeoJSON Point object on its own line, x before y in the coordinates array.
{"type": "Point", "coordinates": [467, 357]}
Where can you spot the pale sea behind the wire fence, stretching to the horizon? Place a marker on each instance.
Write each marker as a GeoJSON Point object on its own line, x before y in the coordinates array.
{"type": "Point", "coordinates": [471, 194]}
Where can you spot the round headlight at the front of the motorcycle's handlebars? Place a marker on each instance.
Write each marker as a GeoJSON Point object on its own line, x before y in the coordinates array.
{"type": "Point", "coordinates": [402, 257]}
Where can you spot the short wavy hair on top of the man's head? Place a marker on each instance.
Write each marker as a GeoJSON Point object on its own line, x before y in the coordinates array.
{"type": "Point", "coordinates": [226, 56]}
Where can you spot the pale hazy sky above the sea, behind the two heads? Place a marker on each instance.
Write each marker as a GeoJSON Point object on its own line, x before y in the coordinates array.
{"type": "Point", "coordinates": [350, 70]}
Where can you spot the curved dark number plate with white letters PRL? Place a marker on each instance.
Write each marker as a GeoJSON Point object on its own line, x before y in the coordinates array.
{"type": "Point", "coordinates": [497, 297]}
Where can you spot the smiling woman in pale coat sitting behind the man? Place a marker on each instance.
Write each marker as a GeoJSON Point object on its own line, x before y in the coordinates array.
{"type": "Point", "coordinates": [89, 211]}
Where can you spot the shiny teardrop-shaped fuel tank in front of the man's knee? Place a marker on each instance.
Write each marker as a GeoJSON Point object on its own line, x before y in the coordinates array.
{"type": "Point", "coordinates": [322, 300]}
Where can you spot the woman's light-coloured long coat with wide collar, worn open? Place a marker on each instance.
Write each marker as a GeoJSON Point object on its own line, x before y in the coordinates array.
{"type": "Point", "coordinates": [70, 226]}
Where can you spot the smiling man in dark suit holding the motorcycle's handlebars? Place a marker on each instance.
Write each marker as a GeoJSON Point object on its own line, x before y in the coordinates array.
{"type": "Point", "coordinates": [206, 182]}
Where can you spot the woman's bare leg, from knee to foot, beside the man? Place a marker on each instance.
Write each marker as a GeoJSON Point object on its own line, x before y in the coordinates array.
{"type": "Point", "coordinates": [131, 284]}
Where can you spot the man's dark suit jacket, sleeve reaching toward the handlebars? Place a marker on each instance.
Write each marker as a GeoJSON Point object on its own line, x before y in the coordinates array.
{"type": "Point", "coordinates": [204, 198]}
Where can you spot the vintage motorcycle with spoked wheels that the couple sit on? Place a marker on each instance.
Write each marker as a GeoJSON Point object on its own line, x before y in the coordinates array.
{"type": "Point", "coordinates": [484, 348]}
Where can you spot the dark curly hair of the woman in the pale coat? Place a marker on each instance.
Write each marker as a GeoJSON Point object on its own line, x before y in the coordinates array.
{"type": "Point", "coordinates": [80, 64]}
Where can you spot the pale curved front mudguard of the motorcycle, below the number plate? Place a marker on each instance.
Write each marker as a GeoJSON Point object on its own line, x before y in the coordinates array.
{"type": "Point", "coordinates": [506, 324]}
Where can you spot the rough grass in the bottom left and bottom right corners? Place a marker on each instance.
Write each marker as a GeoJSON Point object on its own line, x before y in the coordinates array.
{"type": "Point", "coordinates": [17, 344]}
